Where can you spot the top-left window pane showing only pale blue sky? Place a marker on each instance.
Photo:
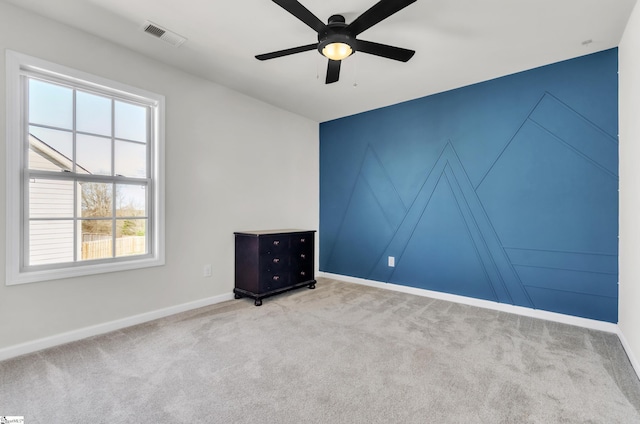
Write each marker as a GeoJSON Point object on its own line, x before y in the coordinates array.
{"type": "Point", "coordinates": [50, 104]}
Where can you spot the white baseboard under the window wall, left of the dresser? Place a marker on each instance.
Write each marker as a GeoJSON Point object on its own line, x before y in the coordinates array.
{"type": "Point", "coordinates": [94, 330]}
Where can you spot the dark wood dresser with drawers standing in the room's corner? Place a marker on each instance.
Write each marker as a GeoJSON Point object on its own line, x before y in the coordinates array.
{"type": "Point", "coordinates": [271, 262]}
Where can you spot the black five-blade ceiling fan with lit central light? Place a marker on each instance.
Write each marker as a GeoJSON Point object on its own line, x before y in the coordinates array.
{"type": "Point", "coordinates": [337, 40]}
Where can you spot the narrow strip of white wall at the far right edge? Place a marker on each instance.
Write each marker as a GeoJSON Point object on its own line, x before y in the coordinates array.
{"type": "Point", "coordinates": [629, 262]}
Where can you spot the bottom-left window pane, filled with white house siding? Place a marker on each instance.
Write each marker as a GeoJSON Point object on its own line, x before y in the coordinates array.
{"type": "Point", "coordinates": [50, 242]}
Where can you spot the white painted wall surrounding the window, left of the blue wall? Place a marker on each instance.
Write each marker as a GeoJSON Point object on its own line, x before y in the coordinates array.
{"type": "Point", "coordinates": [232, 163]}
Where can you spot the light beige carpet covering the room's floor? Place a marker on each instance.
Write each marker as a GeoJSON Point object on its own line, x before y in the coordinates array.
{"type": "Point", "coordinates": [342, 353]}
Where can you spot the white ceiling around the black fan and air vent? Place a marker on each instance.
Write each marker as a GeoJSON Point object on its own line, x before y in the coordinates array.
{"type": "Point", "coordinates": [457, 42]}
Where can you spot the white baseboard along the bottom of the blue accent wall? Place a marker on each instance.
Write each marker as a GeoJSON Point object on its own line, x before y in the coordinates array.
{"type": "Point", "coordinates": [503, 307]}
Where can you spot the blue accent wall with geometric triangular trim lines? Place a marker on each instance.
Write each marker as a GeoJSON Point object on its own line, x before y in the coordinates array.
{"type": "Point", "coordinates": [505, 190]}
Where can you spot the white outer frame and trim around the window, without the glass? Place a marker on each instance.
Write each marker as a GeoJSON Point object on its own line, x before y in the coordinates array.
{"type": "Point", "coordinates": [17, 65]}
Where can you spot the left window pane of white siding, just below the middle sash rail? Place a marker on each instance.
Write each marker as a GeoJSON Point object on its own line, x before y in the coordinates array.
{"type": "Point", "coordinates": [50, 198]}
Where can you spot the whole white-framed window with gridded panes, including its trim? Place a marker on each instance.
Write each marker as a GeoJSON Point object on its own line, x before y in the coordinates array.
{"type": "Point", "coordinates": [84, 173]}
